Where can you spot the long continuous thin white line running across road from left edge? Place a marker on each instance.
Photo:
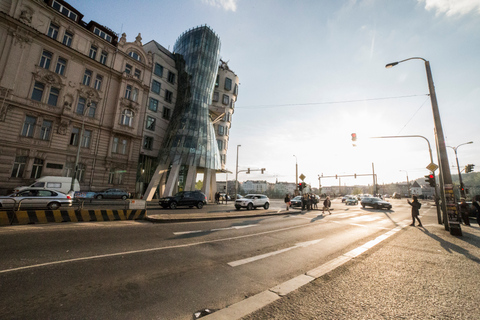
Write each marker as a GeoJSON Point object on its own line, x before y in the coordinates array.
{"type": "Point", "coordinates": [147, 250]}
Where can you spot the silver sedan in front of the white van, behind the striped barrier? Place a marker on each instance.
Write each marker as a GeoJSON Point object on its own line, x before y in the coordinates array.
{"type": "Point", "coordinates": [36, 198]}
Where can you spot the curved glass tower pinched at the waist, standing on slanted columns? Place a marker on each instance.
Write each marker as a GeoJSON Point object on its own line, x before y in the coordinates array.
{"type": "Point", "coordinates": [190, 144]}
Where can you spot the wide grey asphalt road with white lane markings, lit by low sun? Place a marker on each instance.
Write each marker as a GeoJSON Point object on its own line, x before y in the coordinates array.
{"type": "Point", "coordinates": [142, 270]}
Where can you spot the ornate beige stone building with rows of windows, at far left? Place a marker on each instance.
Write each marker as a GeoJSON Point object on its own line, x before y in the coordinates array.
{"type": "Point", "coordinates": [68, 87]}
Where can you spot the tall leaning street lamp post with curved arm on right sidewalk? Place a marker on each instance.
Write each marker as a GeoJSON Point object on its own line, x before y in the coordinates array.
{"type": "Point", "coordinates": [451, 218]}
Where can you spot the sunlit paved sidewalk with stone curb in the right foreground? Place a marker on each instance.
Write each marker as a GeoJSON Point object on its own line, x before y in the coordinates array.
{"type": "Point", "coordinates": [416, 273]}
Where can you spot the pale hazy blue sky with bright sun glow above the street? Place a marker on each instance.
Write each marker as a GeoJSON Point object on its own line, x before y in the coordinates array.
{"type": "Point", "coordinates": [313, 72]}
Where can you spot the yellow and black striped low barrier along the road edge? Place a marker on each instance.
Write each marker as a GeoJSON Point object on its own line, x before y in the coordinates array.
{"type": "Point", "coordinates": [71, 215]}
